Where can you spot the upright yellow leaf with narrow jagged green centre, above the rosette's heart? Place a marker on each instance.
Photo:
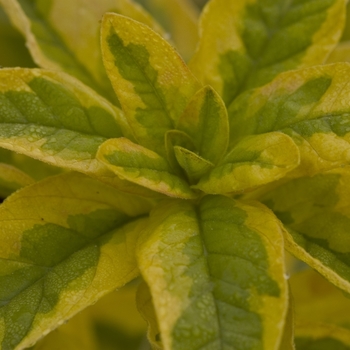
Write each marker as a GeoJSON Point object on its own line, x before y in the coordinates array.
{"type": "Point", "coordinates": [151, 80]}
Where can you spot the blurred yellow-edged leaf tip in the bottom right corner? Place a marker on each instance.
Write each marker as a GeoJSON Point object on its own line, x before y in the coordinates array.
{"type": "Point", "coordinates": [321, 336]}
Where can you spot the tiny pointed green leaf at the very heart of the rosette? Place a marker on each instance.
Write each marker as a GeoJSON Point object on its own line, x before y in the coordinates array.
{"type": "Point", "coordinates": [194, 165]}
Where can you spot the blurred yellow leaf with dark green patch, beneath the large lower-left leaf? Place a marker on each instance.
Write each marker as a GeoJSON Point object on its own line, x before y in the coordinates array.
{"type": "Point", "coordinates": [113, 323]}
